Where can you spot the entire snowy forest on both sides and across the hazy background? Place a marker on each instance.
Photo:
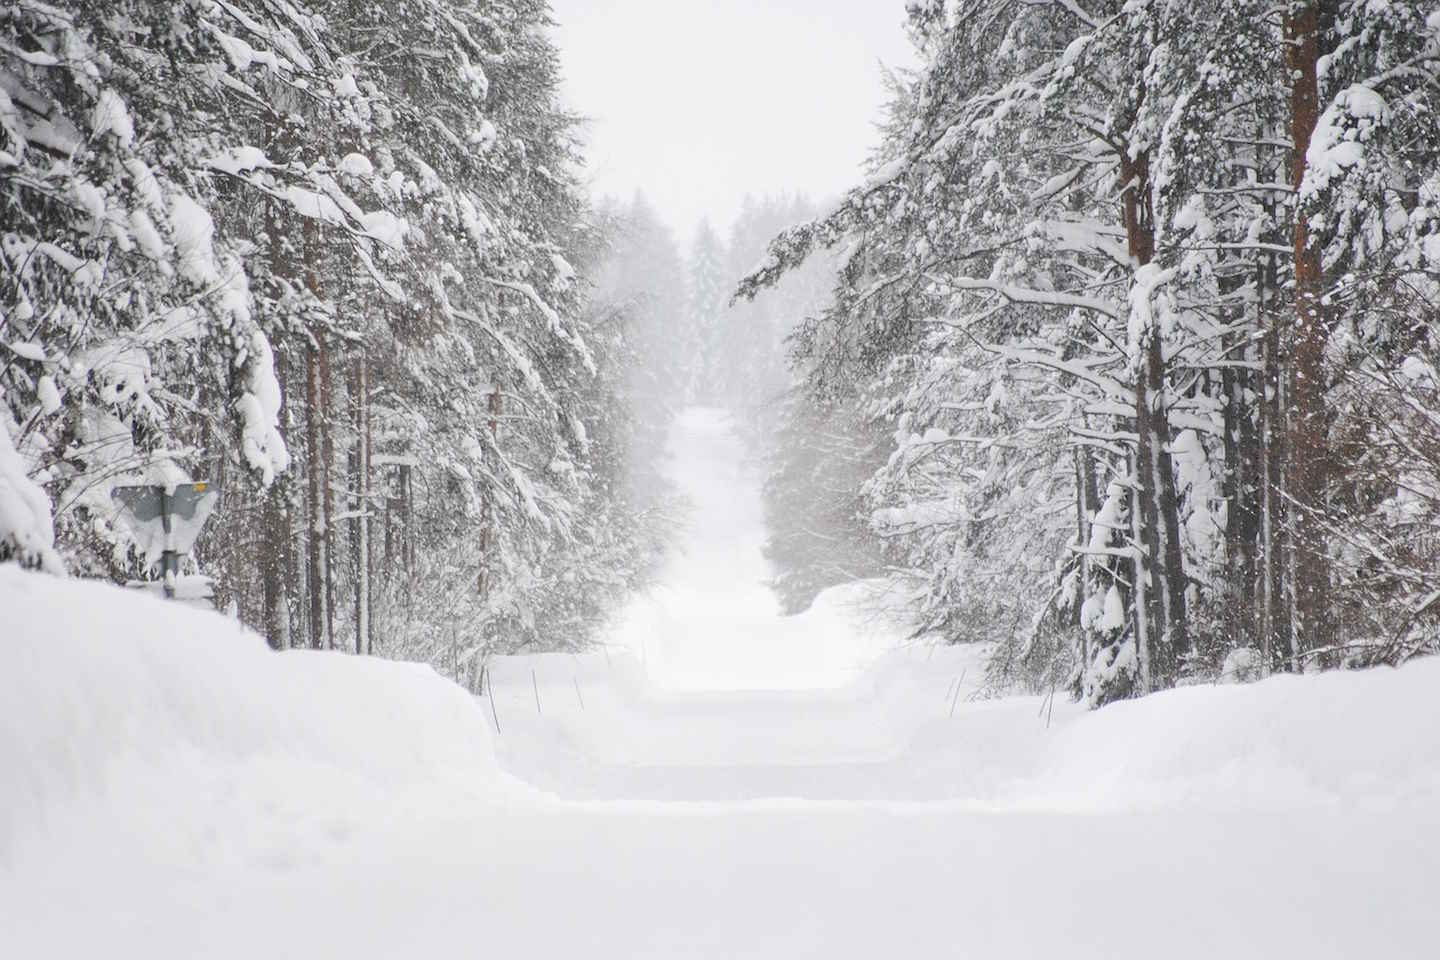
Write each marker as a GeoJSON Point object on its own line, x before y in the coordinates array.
{"type": "Point", "coordinates": [1120, 356]}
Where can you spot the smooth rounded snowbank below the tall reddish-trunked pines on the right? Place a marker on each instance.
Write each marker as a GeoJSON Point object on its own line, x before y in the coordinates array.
{"type": "Point", "coordinates": [1346, 741]}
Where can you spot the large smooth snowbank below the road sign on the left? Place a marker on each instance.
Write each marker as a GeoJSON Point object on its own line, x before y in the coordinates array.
{"type": "Point", "coordinates": [123, 716]}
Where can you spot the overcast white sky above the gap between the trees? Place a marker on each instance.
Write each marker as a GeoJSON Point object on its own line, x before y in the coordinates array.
{"type": "Point", "coordinates": [699, 103]}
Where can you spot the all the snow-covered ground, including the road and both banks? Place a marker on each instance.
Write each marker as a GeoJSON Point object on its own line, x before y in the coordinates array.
{"type": "Point", "coordinates": [172, 789]}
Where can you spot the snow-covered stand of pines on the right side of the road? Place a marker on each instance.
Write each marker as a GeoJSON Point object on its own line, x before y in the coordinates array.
{"type": "Point", "coordinates": [1143, 296]}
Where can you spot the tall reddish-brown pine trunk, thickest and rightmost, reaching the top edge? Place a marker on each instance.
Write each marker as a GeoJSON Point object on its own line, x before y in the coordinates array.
{"type": "Point", "coordinates": [1308, 467]}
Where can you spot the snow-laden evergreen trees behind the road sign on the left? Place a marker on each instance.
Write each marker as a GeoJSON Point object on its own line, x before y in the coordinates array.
{"type": "Point", "coordinates": [330, 257]}
